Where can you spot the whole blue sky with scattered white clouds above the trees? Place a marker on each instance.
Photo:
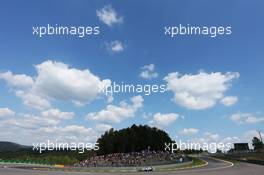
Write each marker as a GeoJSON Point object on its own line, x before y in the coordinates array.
{"type": "Point", "coordinates": [139, 29]}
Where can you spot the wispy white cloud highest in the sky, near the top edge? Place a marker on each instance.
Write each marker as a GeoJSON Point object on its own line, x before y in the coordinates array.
{"type": "Point", "coordinates": [109, 16]}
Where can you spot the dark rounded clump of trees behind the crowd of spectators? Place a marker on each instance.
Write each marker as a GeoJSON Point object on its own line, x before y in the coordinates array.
{"type": "Point", "coordinates": [133, 139]}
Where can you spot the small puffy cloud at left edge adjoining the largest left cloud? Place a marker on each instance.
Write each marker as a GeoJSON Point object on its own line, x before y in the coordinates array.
{"type": "Point", "coordinates": [20, 80]}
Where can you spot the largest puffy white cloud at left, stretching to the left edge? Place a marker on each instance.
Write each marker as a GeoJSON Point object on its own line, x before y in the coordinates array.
{"type": "Point", "coordinates": [56, 81]}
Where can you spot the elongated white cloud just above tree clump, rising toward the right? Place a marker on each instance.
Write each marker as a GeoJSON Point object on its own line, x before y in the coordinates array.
{"type": "Point", "coordinates": [115, 114]}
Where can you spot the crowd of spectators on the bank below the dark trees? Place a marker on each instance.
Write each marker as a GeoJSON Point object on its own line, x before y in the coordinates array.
{"type": "Point", "coordinates": [132, 159]}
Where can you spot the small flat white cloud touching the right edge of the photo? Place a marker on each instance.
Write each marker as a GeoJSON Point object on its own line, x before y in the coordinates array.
{"type": "Point", "coordinates": [246, 118]}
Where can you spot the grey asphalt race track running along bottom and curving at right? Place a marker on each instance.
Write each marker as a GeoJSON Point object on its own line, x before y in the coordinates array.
{"type": "Point", "coordinates": [214, 167]}
